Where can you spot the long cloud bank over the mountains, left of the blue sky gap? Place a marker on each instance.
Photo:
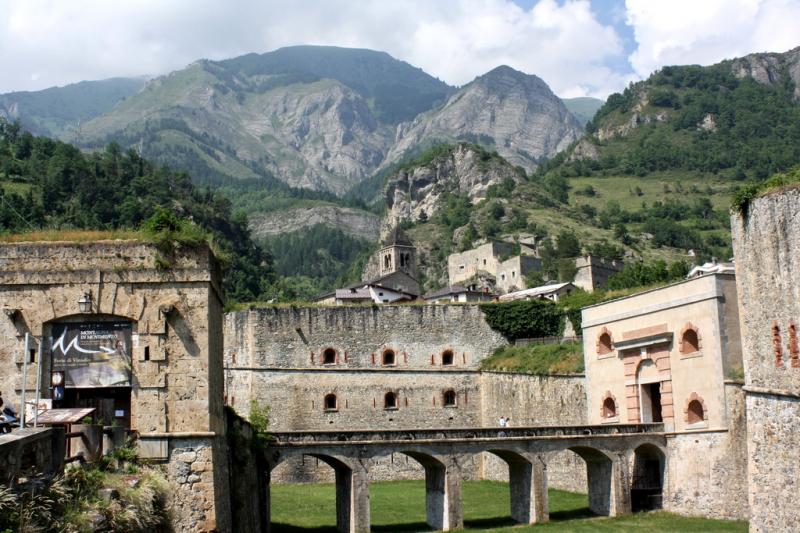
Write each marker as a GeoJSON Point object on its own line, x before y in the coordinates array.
{"type": "Point", "coordinates": [456, 40]}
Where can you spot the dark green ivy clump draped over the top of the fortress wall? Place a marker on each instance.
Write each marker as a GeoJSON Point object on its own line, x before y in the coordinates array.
{"type": "Point", "coordinates": [524, 319]}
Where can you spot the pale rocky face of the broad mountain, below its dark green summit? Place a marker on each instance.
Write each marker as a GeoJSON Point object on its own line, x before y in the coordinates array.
{"type": "Point", "coordinates": [318, 135]}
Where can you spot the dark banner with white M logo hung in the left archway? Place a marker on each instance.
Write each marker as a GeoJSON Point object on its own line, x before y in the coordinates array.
{"type": "Point", "coordinates": [93, 354]}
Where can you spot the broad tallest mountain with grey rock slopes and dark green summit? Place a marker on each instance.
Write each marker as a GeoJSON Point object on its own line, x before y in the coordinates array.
{"type": "Point", "coordinates": [314, 117]}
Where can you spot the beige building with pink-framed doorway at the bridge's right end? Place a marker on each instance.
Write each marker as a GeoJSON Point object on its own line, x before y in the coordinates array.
{"type": "Point", "coordinates": [673, 355]}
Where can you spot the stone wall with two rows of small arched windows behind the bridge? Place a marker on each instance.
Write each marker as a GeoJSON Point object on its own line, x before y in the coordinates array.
{"type": "Point", "coordinates": [292, 359]}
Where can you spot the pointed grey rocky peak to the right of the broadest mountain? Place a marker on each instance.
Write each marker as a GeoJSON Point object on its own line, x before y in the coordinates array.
{"type": "Point", "coordinates": [514, 113]}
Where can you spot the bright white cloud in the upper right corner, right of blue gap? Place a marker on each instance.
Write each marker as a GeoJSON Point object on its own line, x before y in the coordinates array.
{"type": "Point", "coordinates": [703, 32]}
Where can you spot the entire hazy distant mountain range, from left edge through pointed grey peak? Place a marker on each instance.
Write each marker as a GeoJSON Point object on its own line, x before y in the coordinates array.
{"type": "Point", "coordinates": [311, 117]}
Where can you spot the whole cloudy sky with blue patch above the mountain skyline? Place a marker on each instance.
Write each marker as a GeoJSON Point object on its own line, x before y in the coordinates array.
{"type": "Point", "coordinates": [579, 47]}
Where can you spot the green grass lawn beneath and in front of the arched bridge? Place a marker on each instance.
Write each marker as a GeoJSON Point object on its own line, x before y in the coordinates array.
{"type": "Point", "coordinates": [400, 506]}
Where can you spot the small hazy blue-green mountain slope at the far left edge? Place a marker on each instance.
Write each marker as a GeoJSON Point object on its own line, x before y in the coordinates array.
{"type": "Point", "coordinates": [59, 111]}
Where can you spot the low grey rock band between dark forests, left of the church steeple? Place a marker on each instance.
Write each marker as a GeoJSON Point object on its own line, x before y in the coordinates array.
{"type": "Point", "coordinates": [354, 222]}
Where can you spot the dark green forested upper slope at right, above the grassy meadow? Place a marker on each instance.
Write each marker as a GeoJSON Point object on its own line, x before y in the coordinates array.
{"type": "Point", "coordinates": [695, 119]}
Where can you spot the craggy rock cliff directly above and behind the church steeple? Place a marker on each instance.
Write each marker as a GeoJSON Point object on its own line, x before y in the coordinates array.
{"type": "Point", "coordinates": [466, 169]}
